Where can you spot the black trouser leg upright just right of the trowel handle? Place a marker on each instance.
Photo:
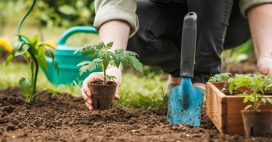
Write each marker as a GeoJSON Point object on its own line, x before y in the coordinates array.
{"type": "Point", "coordinates": [213, 17]}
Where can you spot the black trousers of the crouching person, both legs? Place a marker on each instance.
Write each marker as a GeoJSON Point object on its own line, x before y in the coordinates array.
{"type": "Point", "coordinates": [158, 39]}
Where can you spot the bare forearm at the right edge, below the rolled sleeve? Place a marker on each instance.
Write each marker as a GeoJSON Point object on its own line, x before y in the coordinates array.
{"type": "Point", "coordinates": [260, 21]}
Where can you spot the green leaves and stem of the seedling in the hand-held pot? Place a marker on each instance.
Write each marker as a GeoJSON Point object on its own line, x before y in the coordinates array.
{"type": "Point", "coordinates": [102, 57]}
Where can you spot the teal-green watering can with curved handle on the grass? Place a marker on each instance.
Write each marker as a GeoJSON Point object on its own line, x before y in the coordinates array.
{"type": "Point", "coordinates": [67, 60]}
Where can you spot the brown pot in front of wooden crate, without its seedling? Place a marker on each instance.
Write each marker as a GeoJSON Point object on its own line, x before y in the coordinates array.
{"type": "Point", "coordinates": [257, 123]}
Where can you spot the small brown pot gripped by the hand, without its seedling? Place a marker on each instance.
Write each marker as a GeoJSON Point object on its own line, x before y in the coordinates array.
{"type": "Point", "coordinates": [103, 95]}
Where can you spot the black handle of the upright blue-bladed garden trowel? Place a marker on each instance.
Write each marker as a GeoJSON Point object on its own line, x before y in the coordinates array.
{"type": "Point", "coordinates": [188, 45]}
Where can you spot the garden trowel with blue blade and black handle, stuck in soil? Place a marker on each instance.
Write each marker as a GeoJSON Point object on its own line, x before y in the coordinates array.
{"type": "Point", "coordinates": [185, 100]}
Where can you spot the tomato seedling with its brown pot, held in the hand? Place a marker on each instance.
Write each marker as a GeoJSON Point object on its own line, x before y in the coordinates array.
{"type": "Point", "coordinates": [102, 57]}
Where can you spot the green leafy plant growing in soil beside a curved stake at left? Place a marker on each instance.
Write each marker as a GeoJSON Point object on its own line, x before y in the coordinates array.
{"type": "Point", "coordinates": [35, 52]}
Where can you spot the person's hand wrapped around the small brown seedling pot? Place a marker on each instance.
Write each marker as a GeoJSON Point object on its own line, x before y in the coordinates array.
{"type": "Point", "coordinates": [86, 92]}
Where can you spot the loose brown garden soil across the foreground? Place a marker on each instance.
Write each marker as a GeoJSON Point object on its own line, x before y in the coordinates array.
{"type": "Point", "coordinates": [65, 118]}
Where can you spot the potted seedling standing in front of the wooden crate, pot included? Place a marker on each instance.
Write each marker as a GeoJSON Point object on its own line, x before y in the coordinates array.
{"type": "Point", "coordinates": [257, 122]}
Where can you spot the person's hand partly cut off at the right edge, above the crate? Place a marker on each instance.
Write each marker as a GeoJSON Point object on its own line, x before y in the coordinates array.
{"type": "Point", "coordinates": [265, 65]}
